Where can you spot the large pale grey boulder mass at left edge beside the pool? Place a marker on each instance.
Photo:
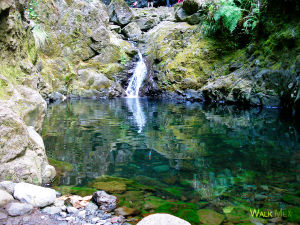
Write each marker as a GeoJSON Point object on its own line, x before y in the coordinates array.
{"type": "Point", "coordinates": [22, 152]}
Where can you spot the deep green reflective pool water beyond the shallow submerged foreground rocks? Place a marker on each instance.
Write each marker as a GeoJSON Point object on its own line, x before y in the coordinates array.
{"type": "Point", "coordinates": [211, 150]}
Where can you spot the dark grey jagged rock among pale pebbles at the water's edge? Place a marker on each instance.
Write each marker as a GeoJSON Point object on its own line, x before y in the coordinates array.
{"type": "Point", "coordinates": [105, 201]}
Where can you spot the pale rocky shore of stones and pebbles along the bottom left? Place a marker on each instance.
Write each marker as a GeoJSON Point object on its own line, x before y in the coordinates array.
{"type": "Point", "coordinates": [24, 203]}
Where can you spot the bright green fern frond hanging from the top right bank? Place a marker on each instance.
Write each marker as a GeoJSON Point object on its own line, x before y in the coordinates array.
{"type": "Point", "coordinates": [229, 13]}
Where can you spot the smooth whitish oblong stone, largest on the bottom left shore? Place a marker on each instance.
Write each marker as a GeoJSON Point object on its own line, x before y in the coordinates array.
{"type": "Point", "coordinates": [34, 195]}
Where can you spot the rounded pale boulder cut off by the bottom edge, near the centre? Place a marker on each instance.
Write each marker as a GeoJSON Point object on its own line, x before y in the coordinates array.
{"type": "Point", "coordinates": [162, 219]}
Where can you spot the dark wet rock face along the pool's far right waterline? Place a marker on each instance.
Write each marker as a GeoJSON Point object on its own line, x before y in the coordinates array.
{"type": "Point", "coordinates": [256, 88]}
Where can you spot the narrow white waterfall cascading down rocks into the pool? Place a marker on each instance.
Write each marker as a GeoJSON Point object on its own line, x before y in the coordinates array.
{"type": "Point", "coordinates": [137, 78]}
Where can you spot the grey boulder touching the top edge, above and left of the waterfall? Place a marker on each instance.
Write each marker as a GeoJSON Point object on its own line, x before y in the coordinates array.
{"type": "Point", "coordinates": [119, 12]}
